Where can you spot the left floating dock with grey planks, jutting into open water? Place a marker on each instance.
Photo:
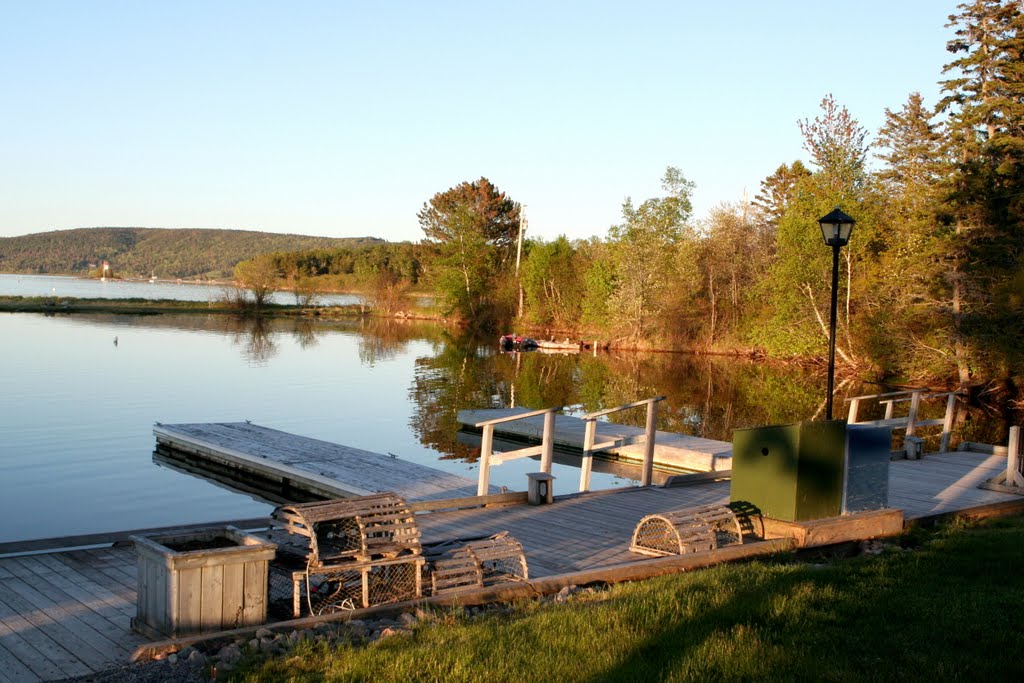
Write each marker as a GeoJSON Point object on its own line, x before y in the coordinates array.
{"type": "Point", "coordinates": [315, 467]}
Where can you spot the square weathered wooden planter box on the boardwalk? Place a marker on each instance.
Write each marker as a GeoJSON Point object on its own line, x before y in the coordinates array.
{"type": "Point", "coordinates": [201, 581]}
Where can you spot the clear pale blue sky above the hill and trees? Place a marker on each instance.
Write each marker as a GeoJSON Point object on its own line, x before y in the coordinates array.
{"type": "Point", "coordinates": [342, 119]}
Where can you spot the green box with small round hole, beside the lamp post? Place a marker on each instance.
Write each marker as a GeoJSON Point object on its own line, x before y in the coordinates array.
{"type": "Point", "coordinates": [791, 473]}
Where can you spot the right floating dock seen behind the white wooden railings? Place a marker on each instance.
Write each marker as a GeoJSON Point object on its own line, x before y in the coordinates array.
{"type": "Point", "coordinates": [672, 451]}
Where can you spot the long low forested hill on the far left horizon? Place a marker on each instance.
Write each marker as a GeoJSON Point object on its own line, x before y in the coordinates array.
{"type": "Point", "coordinates": [146, 251]}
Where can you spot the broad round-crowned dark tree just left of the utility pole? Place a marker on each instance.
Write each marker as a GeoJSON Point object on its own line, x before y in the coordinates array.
{"type": "Point", "coordinates": [473, 229]}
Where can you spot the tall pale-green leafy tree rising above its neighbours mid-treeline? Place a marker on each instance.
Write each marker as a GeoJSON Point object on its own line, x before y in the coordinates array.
{"type": "Point", "coordinates": [645, 246]}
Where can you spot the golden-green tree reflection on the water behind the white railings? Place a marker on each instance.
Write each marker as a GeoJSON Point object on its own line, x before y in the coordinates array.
{"type": "Point", "coordinates": [706, 397]}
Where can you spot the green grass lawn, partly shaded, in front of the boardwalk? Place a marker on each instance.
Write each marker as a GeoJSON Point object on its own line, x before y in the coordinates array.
{"type": "Point", "coordinates": [948, 607]}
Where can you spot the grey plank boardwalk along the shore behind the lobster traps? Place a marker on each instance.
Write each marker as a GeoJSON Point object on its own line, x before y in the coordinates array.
{"type": "Point", "coordinates": [68, 614]}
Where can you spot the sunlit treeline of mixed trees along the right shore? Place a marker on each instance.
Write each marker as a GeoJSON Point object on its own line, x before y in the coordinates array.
{"type": "Point", "coordinates": [932, 283]}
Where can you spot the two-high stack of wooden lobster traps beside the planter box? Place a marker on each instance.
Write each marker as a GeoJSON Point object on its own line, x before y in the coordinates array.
{"type": "Point", "coordinates": [349, 553]}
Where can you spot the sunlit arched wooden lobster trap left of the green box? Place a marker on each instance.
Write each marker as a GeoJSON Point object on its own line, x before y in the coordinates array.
{"type": "Point", "coordinates": [687, 531]}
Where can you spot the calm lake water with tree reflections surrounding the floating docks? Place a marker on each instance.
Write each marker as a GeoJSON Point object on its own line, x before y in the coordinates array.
{"type": "Point", "coordinates": [77, 410]}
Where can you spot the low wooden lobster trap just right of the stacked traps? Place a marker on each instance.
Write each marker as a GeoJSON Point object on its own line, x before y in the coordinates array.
{"type": "Point", "coordinates": [499, 560]}
